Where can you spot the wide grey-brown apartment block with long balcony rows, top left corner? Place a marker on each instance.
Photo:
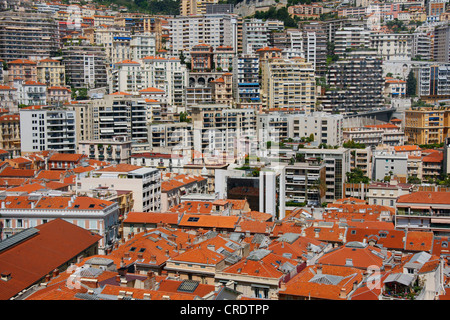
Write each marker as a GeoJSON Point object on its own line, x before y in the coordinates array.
{"type": "Point", "coordinates": [27, 35]}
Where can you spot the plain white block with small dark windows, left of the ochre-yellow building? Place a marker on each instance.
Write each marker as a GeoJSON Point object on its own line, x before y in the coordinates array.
{"type": "Point", "coordinates": [326, 128]}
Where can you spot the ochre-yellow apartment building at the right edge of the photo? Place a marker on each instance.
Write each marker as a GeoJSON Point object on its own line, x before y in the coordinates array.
{"type": "Point", "coordinates": [427, 125]}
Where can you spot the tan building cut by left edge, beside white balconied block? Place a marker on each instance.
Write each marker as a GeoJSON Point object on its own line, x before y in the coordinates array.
{"type": "Point", "coordinates": [10, 134]}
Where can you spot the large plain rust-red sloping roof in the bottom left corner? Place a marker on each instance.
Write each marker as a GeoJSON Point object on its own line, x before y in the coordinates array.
{"type": "Point", "coordinates": [55, 243]}
